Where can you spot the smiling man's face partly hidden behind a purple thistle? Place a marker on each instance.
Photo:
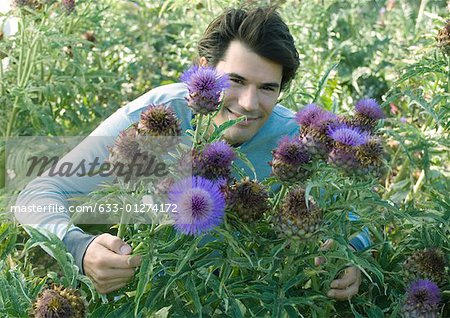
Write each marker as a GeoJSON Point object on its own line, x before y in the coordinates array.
{"type": "Point", "coordinates": [255, 86]}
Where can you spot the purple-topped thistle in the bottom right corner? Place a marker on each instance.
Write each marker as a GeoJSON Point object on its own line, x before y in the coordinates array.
{"type": "Point", "coordinates": [423, 292]}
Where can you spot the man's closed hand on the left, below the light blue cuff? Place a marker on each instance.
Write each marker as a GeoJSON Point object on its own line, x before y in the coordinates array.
{"type": "Point", "coordinates": [108, 263]}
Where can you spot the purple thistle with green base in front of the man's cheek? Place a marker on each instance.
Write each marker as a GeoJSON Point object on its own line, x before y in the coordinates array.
{"type": "Point", "coordinates": [205, 86]}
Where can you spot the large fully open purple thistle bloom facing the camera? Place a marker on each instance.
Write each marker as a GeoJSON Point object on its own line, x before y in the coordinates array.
{"type": "Point", "coordinates": [200, 205]}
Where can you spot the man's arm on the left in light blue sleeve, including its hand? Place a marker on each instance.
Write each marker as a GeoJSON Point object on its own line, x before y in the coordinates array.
{"type": "Point", "coordinates": [114, 268]}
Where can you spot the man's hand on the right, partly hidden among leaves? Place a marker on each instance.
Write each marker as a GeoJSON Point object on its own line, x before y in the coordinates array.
{"type": "Point", "coordinates": [348, 285]}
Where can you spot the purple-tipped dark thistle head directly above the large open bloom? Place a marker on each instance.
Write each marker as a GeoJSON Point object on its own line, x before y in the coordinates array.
{"type": "Point", "coordinates": [214, 162]}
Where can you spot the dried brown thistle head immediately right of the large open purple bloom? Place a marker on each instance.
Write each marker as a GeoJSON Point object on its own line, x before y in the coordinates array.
{"type": "Point", "coordinates": [247, 198]}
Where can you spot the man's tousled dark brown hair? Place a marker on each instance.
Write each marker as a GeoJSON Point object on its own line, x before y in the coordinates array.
{"type": "Point", "coordinates": [261, 29]}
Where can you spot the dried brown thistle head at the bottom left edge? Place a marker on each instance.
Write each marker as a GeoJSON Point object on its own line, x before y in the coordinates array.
{"type": "Point", "coordinates": [59, 302]}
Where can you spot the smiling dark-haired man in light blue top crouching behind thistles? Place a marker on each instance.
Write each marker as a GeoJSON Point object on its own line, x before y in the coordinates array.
{"type": "Point", "coordinates": [257, 51]}
